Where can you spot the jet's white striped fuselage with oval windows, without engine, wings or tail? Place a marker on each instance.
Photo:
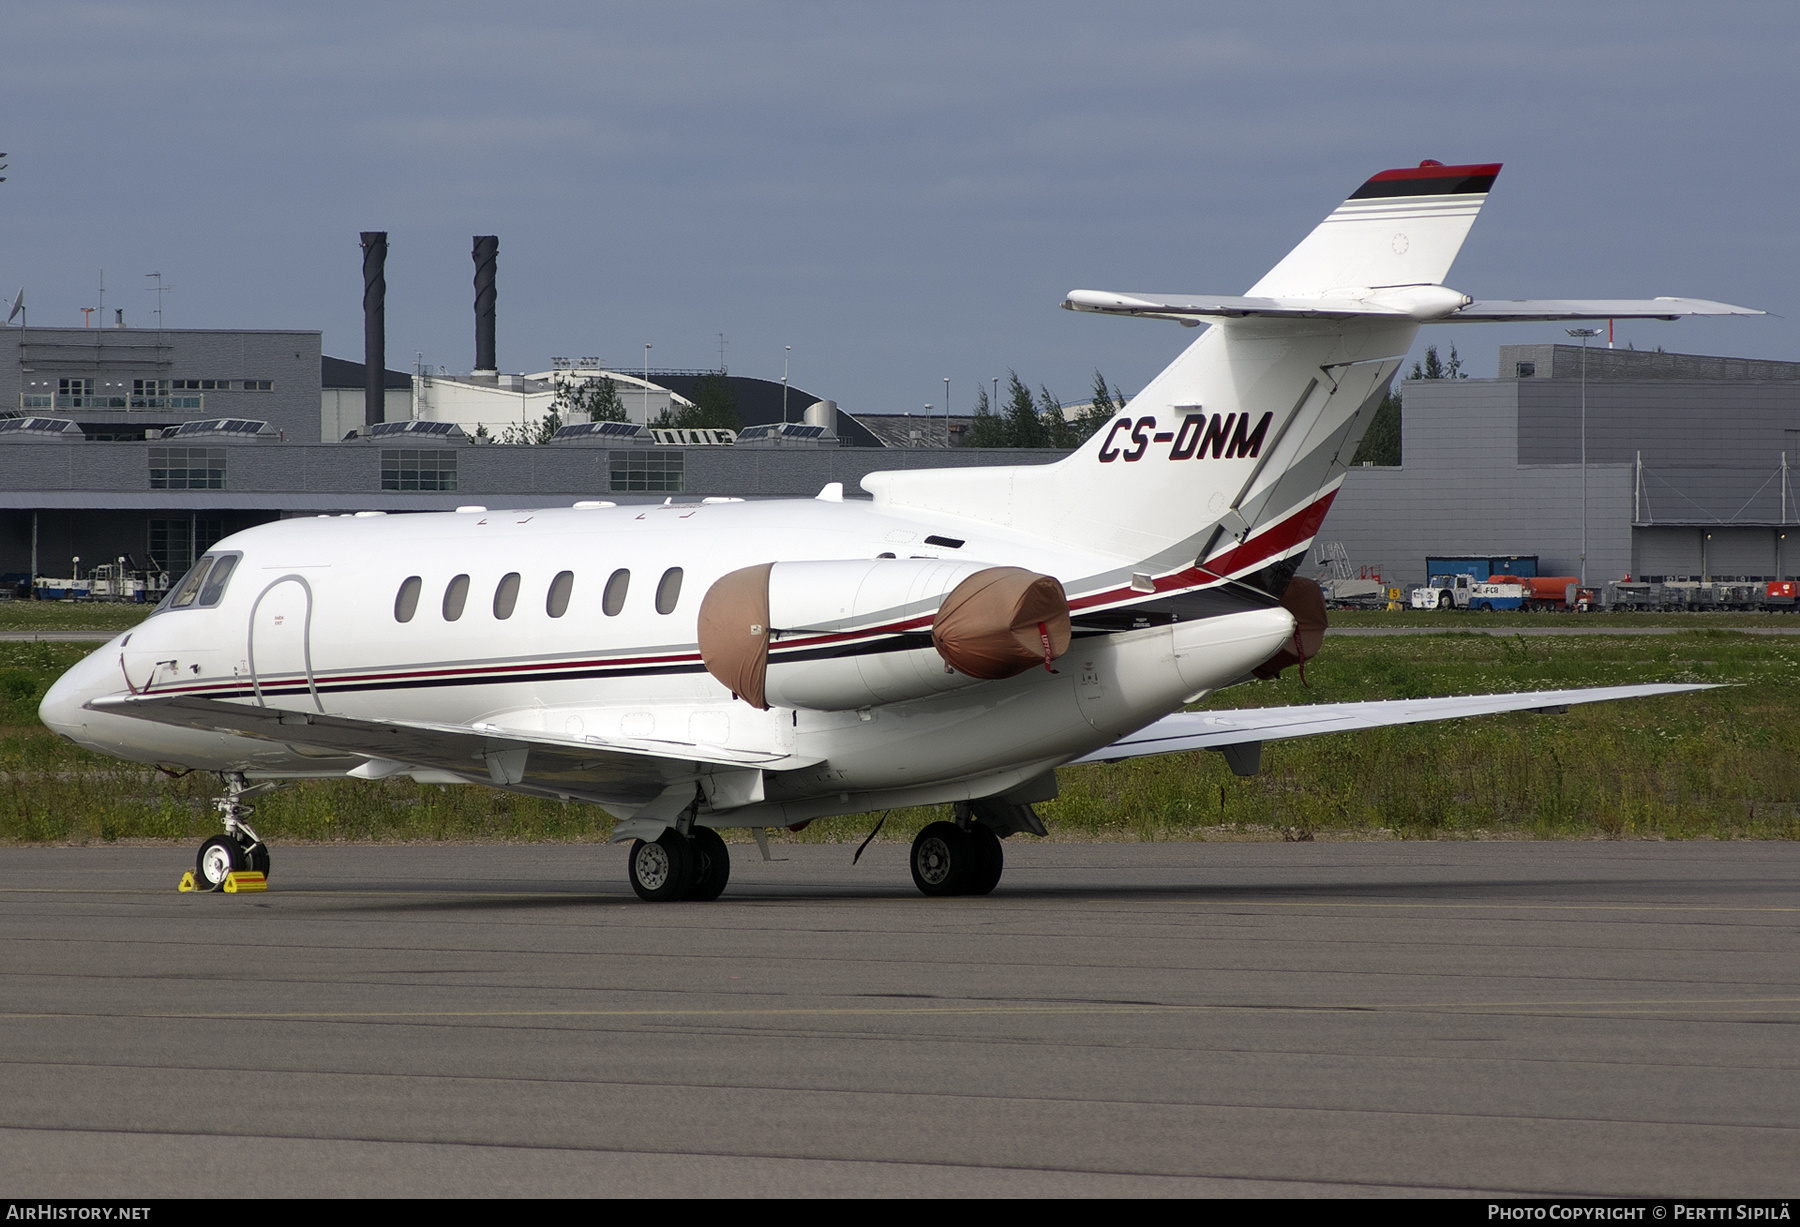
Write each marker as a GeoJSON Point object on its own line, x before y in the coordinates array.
{"type": "Point", "coordinates": [580, 623]}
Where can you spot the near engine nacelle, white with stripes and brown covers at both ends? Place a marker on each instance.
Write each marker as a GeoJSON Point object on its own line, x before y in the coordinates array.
{"type": "Point", "coordinates": [840, 636]}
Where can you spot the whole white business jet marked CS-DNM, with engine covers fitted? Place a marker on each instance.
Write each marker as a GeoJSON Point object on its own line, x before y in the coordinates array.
{"type": "Point", "coordinates": [753, 665]}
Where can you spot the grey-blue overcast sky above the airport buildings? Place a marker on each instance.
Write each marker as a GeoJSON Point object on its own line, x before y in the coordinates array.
{"type": "Point", "coordinates": [901, 193]}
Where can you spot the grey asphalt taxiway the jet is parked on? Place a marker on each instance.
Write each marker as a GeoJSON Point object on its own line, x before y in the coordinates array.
{"type": "Point", "coordinates": [1117, 1019]}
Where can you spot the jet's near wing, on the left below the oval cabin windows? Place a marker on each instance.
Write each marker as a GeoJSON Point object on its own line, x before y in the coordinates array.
{"type": "Point", "coordinates": [615, 771]}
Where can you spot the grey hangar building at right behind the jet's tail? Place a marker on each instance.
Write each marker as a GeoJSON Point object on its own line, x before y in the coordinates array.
{"type": "Point", "coordinates": [1687, 469]}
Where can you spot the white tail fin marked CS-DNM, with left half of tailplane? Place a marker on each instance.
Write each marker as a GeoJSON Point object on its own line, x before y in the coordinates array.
{"type": "Point", "coordinates": [1232, 456]}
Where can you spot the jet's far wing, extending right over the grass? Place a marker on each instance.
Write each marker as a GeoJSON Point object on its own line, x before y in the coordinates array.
{"type": "Point", "coordinates": [1252, 726]}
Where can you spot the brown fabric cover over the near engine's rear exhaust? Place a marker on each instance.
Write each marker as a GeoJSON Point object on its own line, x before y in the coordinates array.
{"type": "Point", "coordinates": [1002, 622]}
